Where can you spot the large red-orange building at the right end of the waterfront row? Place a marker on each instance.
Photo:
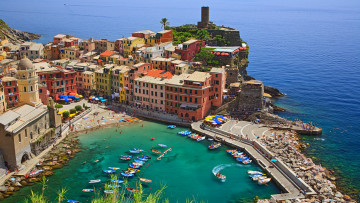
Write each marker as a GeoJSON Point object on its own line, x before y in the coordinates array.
{"type": "Point", "coordinates": [191, 96]}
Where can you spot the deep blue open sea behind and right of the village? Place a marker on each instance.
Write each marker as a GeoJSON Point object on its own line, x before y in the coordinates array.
{"type": "Point", "coordinates": [308, 49]}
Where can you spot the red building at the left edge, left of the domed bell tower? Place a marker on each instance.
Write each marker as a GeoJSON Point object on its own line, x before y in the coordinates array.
{"type": "Point", "coordinates": [11, 91]}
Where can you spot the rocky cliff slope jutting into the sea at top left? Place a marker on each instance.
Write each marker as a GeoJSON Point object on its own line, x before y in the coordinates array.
{"type": "Point", "coordinates": [15, 36]}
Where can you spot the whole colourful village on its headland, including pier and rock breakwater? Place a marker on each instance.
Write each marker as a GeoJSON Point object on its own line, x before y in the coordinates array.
{"type": "Point", "coordinates": [179, 75]}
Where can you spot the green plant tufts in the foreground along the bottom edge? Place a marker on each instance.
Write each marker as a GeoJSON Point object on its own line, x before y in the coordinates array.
{"type": "Point", "coordinates": [118, 195]}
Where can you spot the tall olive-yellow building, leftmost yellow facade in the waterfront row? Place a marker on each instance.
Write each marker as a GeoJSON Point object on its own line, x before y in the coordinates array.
{"type": "Point", "coordinates": [103, 80]}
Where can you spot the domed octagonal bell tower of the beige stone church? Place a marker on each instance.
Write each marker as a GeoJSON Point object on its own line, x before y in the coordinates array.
{"type": "Point", "coordinates": [28, 83]}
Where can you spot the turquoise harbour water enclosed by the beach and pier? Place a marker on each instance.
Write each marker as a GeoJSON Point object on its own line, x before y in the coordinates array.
{"type": "Point", "coordinates": [186, 170]}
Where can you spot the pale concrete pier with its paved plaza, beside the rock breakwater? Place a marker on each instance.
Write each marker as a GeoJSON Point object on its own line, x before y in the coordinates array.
{"type": "Point", "coordinates": [234, 134]}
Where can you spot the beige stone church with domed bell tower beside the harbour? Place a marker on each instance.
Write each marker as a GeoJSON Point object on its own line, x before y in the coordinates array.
{"type": "Point", "coordinates": [27, 130]}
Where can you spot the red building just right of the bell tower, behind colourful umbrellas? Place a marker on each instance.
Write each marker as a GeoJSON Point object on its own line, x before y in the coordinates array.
{"type": "Point", "coordinates": [58, 81]}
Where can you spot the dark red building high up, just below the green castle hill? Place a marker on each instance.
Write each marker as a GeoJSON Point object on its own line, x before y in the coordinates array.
{"type": "Point", "coordinates": [188, 49]}
